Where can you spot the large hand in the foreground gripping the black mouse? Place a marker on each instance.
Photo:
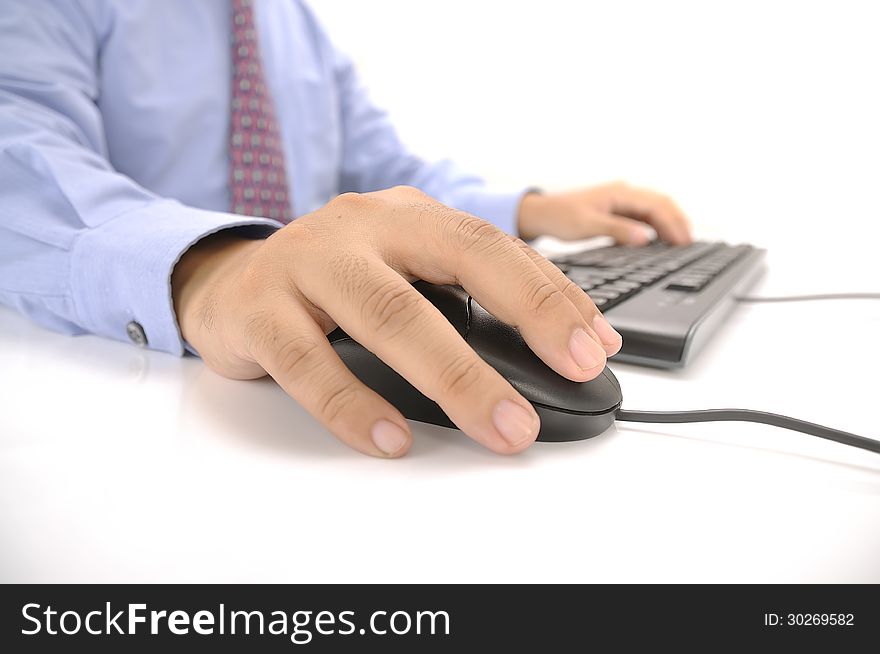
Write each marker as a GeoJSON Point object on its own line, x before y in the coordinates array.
{"type": "Point", "coordinates": [252, 307]}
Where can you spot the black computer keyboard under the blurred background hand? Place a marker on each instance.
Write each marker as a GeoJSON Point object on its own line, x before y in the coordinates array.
{"type": "Point", "coordinates": [665, 300]}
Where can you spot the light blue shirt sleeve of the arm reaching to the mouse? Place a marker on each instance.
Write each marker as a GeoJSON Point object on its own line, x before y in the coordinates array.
{"type": "Point", "coordinates": [83, 248]}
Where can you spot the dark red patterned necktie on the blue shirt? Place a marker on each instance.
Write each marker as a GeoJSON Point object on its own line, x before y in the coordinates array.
{"type": "Point", "coordinates": [258, 178]}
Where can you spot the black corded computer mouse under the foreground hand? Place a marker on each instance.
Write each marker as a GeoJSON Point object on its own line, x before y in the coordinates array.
{"type": "Point", "coordinates": [568, 410]}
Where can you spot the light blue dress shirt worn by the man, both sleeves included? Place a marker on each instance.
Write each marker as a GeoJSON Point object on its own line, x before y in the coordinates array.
{"type": "Point", "coordinates": [114, 129]}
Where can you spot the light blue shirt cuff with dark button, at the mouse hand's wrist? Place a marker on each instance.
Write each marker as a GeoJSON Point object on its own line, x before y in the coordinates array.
{"type": "Point", "coordinates": [121, 269]}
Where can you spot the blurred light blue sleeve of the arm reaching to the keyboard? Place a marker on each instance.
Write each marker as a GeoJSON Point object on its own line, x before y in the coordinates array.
{"type": "Point", "coordinates": [374, 157]}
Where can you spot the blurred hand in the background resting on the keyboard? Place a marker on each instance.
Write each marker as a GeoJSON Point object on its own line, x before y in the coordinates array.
{"type": "Point", "coordinates": [614, 210]}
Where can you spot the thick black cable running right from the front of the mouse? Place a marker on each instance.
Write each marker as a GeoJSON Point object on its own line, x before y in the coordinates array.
{"type": "Point", "coordinates": [747, 415]}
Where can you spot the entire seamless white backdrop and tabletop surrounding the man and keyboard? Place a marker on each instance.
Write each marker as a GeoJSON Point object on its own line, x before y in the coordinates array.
{"type": "Point", "coordinates": [119, 464]}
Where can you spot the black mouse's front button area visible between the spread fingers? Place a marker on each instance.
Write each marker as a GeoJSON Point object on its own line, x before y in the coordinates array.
{"type": "Point", "coordinates": [502, 347]}
